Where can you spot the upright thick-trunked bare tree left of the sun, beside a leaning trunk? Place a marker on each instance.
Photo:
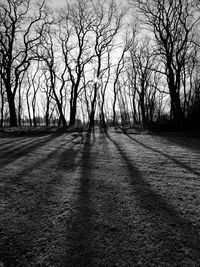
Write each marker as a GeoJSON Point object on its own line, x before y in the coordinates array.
{"type": "Point", "coordinates": [76, 44]}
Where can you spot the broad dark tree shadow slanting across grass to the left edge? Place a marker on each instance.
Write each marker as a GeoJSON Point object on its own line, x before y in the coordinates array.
{"type": "Point", "coordinates": [10, 156]}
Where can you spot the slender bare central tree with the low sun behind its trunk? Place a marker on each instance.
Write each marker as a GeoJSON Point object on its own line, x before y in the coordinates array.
{"type": "Point", "coordinates": [108, 21]}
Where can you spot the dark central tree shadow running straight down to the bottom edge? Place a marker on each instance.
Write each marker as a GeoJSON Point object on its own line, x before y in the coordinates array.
{"type": "Point", "coordinates": [79, 249]}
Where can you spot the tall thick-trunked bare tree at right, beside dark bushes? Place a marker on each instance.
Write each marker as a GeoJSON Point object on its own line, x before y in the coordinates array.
{"type": "Point", "coordinates": [172, 23]}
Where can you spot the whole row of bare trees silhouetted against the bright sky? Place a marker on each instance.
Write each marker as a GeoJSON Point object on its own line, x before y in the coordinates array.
{"type": "Point", "coordinates": [87, 62]}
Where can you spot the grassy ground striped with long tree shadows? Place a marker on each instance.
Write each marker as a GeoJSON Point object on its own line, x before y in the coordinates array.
{"type": "Point", "coordinates": [105, 199]}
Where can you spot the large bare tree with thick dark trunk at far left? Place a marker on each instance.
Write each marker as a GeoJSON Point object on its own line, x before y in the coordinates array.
{"type": "Point", "coordinates": [20, 29]}
